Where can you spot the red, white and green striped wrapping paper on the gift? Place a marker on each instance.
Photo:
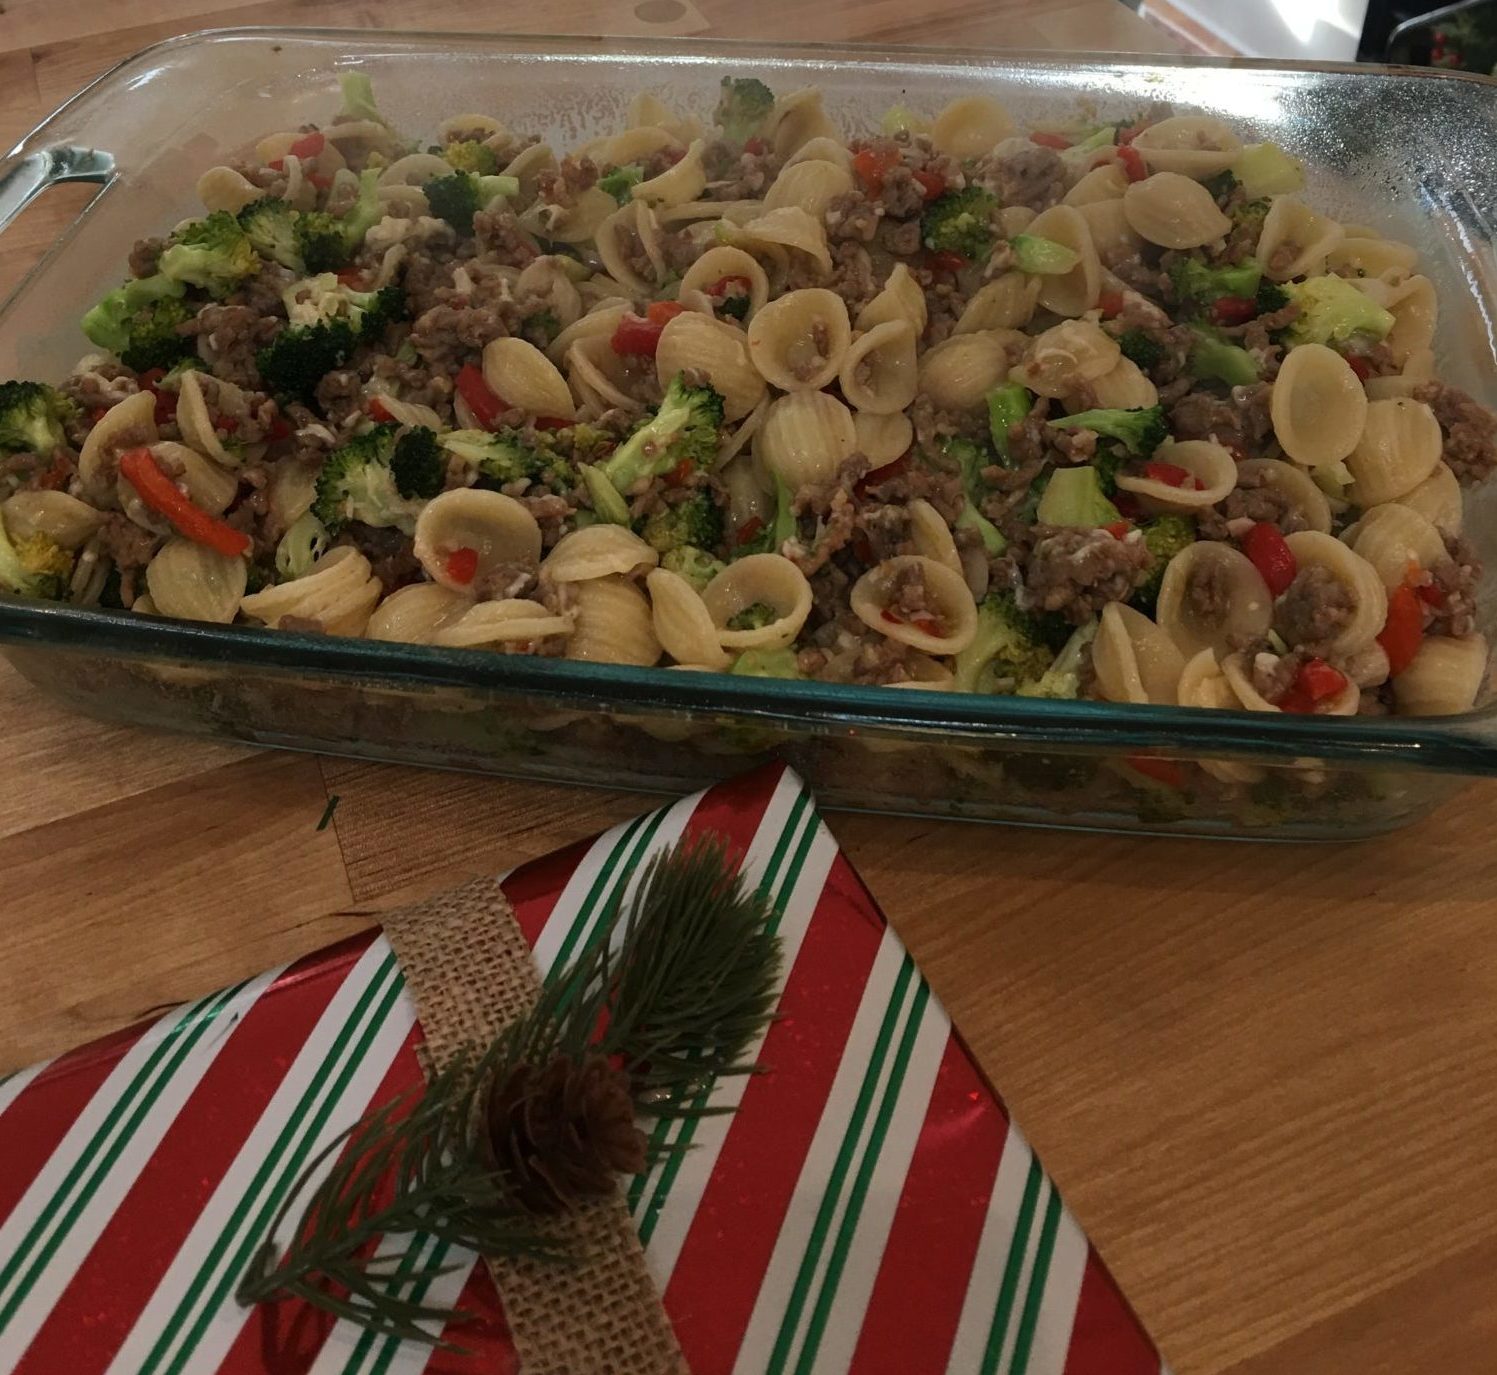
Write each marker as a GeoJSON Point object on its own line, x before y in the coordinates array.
{"type": "Point", "coordinates": [869, 1208]}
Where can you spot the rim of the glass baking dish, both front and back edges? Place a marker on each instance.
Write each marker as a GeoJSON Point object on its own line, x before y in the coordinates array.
{"type": "Point", "coordinates": [1463, 744]}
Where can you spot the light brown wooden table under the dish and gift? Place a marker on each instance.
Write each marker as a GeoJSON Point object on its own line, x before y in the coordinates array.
{"type": "Point", "coordinates": [1266, 1078]}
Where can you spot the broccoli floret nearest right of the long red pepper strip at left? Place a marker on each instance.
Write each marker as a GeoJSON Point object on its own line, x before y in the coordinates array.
{"type": "Point", "coordinates": [379, 478]}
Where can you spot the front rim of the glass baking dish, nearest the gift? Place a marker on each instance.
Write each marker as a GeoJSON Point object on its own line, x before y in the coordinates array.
{"type": "Point", "coordinates": [1450, 744]}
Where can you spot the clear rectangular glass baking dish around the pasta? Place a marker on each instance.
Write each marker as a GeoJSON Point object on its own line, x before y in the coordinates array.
{"type": "Point", "coordinates": [1405, 150]}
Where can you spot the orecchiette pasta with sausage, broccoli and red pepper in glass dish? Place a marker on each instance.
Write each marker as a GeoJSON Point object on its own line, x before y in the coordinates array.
{"type": "Point", "coordinates": [1106, 411]}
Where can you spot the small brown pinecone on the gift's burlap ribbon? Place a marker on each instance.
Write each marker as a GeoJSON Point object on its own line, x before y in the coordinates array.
{"type": "Point", "coordinates": [565, 1132]}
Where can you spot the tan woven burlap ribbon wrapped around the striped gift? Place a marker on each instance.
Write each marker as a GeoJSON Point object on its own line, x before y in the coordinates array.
{"type": "Point", "coordinates": [471, 973]}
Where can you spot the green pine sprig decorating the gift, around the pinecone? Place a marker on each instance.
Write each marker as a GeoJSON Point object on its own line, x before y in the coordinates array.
{"type": "Point", "coordinates": [688, 991]}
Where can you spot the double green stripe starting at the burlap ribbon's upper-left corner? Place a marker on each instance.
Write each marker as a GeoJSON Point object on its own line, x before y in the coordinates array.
{"type": "Point", "coordinates": [204, 1293]}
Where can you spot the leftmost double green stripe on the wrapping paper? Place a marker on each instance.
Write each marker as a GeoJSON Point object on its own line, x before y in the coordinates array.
{"type": "Point", "coordinates": [101, 1156]}
